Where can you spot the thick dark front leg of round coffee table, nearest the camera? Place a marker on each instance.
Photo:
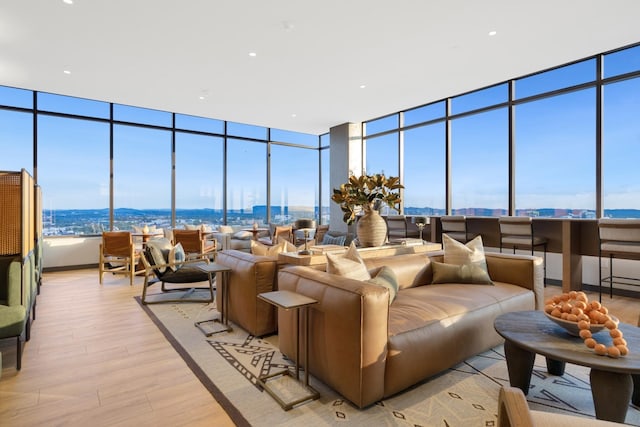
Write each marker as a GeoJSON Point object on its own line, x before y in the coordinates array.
{"type": "Point", "coordinates": [611, 393]}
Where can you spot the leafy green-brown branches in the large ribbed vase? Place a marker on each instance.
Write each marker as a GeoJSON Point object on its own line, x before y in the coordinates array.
{"type": "Point", "coordinates": [367, 192]}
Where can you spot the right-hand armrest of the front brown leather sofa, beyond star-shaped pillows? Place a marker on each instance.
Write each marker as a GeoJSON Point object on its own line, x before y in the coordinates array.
{"type": "Point", "coordinates": [522, 270]}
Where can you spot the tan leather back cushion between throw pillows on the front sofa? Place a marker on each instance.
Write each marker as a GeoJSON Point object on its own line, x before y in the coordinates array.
{"type": "Point", "coordinates": [410, 269]}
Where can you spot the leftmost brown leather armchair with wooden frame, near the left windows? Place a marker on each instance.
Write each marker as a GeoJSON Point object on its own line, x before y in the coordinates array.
{"type": "Point", "coordinates": [118, 255]}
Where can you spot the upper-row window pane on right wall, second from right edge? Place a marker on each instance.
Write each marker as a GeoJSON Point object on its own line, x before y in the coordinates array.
{"type": "Point", "coordinates": [560, 78]}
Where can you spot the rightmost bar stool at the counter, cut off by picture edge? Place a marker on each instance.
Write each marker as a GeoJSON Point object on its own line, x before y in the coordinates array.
{"type": "Point", "coordinates": [618, 238]}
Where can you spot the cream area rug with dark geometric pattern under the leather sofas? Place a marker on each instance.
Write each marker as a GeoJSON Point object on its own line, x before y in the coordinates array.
{"type": "Point", "coordinates": [229, 363]}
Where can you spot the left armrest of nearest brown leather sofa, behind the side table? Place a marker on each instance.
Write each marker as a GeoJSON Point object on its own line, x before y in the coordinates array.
{"type": "Point", "coordinates": [348, 331]}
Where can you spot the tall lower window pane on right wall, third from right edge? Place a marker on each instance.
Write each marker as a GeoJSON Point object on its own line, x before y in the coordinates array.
{"type": "Point", "coordinates": [480, 164]}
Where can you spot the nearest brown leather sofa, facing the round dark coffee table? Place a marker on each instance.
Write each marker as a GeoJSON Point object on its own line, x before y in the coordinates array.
{"type": "Point", "coordinates": [367, 350]}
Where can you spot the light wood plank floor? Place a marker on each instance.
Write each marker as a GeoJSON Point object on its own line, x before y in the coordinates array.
{"type": "Point", "coordinates": [95, 358]}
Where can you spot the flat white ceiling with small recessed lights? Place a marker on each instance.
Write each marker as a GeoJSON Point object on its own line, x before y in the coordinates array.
{"type": "Point", "coordinates": [312, 56]}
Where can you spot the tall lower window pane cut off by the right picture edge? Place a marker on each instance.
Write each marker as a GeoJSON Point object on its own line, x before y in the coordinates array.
{"type": "Point", "coordinates": [621, 144]}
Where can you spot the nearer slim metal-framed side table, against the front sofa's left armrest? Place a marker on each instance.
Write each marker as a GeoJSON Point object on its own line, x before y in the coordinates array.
{"type": "Point", "coordinates": [288, 300]}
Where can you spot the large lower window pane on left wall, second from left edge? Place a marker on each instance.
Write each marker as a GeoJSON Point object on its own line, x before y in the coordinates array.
{"type": "Point", "coordinates": [73, 170]}
